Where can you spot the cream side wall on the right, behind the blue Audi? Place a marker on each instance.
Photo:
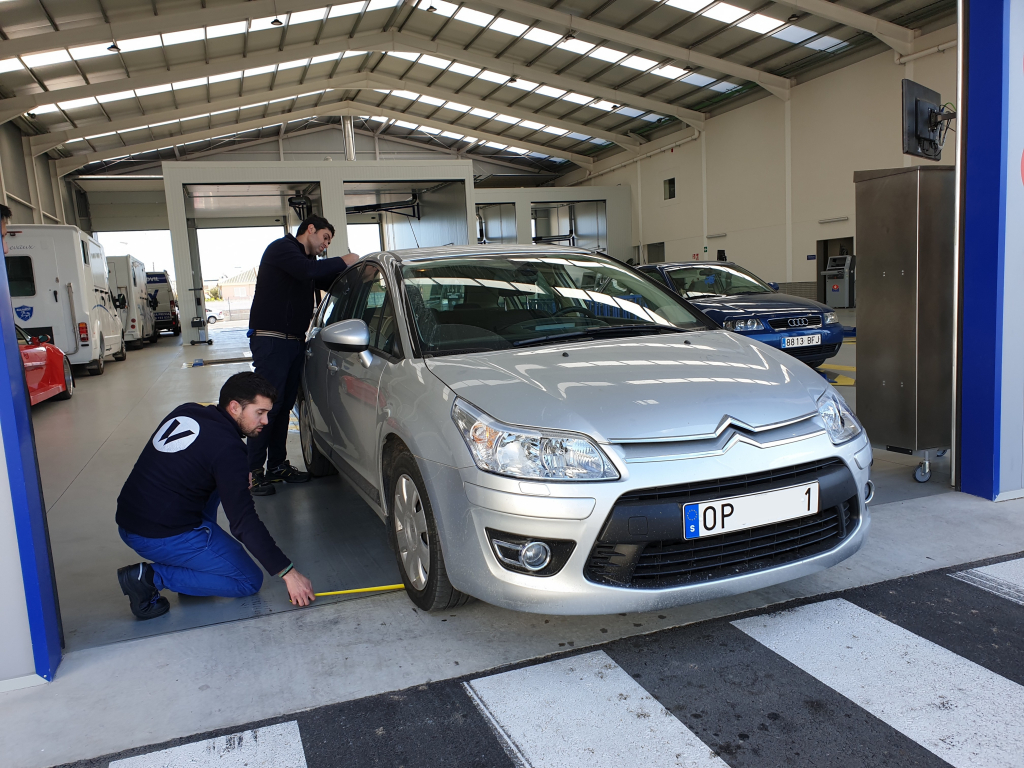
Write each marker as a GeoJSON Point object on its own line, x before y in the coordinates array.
{"type": "Point", "coordinates": [846, 121]}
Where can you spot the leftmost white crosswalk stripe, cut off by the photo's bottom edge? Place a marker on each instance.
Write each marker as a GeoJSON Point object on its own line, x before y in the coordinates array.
{"type": "Point", "coordinates": [272, 747]}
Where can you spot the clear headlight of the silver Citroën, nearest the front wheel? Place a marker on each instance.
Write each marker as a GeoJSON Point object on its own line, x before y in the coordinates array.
{"type": "Point", "coordinates": [541, 455]}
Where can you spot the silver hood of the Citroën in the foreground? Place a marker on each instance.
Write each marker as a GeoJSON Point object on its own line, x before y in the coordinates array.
{"type": "Point", "coordinates": [653, 388]}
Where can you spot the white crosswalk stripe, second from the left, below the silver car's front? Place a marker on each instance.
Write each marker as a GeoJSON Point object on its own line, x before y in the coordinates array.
{"type": "Point", "coordinates": [585, 711]}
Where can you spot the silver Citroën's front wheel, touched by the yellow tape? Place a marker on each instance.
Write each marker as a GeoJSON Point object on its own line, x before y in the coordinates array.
{"type": "Point", "coordinates": [414, 537]}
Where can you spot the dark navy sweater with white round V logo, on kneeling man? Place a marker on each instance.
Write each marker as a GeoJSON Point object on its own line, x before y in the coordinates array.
{"type": "Point", "coordinates": [196, 450]}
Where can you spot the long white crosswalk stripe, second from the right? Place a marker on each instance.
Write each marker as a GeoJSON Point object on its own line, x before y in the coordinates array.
{"type": "Point", "coordinates": [960, 711]}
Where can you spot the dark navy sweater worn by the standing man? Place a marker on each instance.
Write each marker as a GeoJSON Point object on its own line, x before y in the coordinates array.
{"type": "Point", "coordinates": [285, 285]}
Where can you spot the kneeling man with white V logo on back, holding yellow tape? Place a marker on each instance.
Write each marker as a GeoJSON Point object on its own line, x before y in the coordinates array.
{"type": "Point", "coordinates": [167, 510]}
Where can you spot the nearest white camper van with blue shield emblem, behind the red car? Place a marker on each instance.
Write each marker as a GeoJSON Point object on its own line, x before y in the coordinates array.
{"type": "Point", "coordinates": [58, 278]}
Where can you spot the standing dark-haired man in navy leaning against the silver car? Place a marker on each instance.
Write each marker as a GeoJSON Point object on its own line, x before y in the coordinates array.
{"type": "Point", "coordinates": [289, 276]}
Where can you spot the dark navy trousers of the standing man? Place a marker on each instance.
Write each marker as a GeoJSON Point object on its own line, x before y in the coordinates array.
{"type": "Point", "coordinates": [280, 362]}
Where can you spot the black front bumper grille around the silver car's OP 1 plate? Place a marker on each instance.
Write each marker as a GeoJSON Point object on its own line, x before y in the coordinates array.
{"type": "Point", "coordinates": [665, 563]}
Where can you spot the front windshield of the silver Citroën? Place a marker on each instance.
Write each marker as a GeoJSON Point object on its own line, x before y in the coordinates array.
{"type": "Point", "coordinates": [499, 303]}
